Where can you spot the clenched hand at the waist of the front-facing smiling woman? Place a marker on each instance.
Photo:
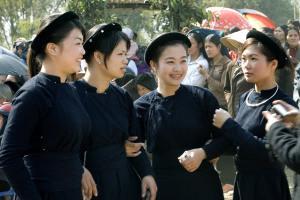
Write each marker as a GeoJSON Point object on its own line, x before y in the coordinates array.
{"type": "Point", "coordinates": [192, 159]}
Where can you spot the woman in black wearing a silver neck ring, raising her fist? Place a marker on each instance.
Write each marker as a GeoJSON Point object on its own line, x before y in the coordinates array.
{"type": "Point", "coordinates": [259, 175]}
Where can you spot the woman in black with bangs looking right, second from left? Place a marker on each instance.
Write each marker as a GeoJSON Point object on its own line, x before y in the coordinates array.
{"type": "Point", "coordinates": [112, 118]}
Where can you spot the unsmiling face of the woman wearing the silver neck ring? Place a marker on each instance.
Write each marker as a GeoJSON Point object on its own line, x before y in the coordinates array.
{"type": "Point", "coordinates": [256, 68]}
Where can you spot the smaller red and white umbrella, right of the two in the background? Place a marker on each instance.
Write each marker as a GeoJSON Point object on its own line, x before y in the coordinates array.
{"type": "Point", "coordinates": [257, 19]}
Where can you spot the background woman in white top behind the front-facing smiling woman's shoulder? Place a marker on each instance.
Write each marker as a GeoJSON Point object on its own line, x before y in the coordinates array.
{"type": "Point", "coordinates": [197, 57]}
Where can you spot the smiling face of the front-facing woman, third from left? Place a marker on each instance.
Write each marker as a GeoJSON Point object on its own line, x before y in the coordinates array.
{"type": "Point", "coordinates": [171, 66]}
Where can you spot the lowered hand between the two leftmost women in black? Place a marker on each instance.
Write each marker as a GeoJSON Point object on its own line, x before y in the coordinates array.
{"type": "Point", "coordinates": [88, 185]}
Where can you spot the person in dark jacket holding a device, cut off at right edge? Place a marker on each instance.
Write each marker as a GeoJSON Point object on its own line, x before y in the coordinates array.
{"type": "Point", "coordinates": [283, 138]}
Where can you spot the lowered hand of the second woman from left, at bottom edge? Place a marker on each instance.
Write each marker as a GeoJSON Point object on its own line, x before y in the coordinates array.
{"type": "Point", "coordinates": [148, 184]}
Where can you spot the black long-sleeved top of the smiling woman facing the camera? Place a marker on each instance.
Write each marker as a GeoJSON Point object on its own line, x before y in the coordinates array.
{"type": "Point", "coordinates": [181, 121]}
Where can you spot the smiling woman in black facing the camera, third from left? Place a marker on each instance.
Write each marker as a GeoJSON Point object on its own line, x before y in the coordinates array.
{"type": "Point", "coordinates": [176, 120]}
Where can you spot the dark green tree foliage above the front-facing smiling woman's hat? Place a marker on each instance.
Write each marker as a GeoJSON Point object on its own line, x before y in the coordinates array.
{"type": "Point", "coordinates": [176, 14]}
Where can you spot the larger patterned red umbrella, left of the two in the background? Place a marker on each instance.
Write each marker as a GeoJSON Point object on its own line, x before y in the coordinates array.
{"type": "Point", "coordinates": [225, 18]}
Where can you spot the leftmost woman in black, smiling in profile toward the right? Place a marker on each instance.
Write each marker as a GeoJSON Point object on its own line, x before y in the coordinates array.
{"type": "Point", "coordinates": [44, 133]}
